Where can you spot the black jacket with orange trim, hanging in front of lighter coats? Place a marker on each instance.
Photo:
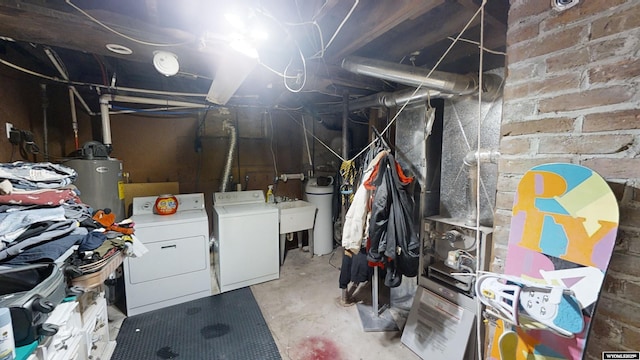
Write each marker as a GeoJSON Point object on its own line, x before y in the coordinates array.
{"type": "Point", "coordinates": [393, 238]}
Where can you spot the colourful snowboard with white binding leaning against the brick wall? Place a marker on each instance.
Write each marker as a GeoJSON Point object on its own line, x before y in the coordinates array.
{"type": "Point", "coordinates": [563, 230]}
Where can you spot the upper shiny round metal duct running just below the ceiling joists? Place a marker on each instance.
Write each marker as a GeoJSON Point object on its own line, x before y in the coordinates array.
{"type": "Point", "coordinates": [412, 75]}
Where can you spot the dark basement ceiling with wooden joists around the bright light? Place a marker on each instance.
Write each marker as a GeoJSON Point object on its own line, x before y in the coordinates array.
{"type": "Point", "coordinates": [412, 31]}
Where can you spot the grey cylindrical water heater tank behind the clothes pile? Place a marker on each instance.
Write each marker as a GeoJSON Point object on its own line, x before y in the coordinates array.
{"type": "Point", "coordinates": [100, 184]}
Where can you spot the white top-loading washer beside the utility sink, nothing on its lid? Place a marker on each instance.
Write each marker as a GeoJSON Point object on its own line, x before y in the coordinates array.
{"type": "Point", "coordinates": [246, 239]}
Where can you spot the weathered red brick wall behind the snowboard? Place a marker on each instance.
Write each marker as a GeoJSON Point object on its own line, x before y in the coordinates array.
{"type": "Point", "coordinates": [572, 94]}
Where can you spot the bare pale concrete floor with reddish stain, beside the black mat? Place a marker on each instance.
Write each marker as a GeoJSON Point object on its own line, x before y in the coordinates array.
{"type": "Point", "coordinates": [304, 315]}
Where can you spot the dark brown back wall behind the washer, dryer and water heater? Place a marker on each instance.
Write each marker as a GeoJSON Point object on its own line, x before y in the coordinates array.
{"type": "Point", "coordinates": [160, 148]}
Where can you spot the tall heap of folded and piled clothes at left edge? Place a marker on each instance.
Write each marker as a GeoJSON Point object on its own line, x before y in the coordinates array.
{"type": "Point", "coordinates": [42, 215]}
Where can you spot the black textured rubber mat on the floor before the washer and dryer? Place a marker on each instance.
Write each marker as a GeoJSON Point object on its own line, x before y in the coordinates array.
{"type": "Point", "coordinates": [226, 326]}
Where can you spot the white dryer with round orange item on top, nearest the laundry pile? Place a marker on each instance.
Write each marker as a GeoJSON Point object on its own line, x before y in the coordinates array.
{"type": "Point", "coordinates": [176, 268]}
